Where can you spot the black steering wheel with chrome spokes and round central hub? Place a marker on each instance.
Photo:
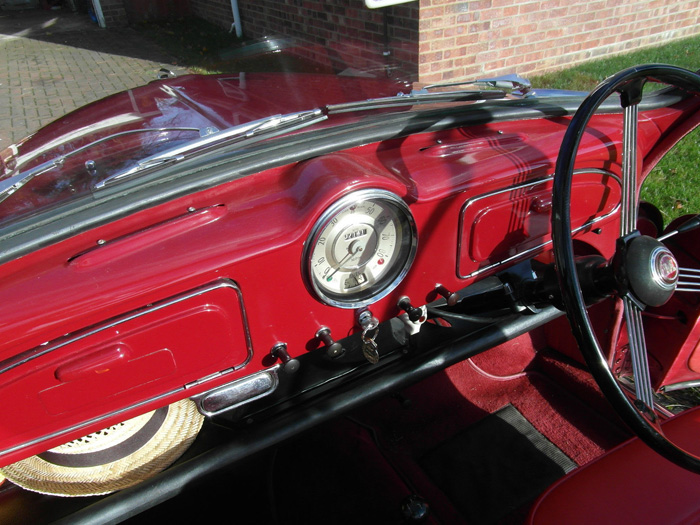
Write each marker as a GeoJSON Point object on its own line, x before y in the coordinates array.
{"type": "Point", "coordinates": [645, 271]}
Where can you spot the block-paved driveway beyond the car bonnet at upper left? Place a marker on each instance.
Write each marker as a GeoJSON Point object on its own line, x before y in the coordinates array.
{"type": "Point", "coordinates": [52, 62]}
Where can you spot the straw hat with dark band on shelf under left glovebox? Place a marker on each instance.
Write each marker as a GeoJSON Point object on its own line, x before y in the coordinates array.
{"type": "Point", "coordinates": [113, 458]}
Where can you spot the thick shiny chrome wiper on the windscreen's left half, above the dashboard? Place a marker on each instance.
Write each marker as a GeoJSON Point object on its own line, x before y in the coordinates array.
{"type": "Point", "coordinates": [266, 127]}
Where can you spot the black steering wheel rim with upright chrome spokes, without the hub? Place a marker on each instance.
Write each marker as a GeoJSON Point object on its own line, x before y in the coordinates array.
{"type": "Point", "coordinates": [629, 84]}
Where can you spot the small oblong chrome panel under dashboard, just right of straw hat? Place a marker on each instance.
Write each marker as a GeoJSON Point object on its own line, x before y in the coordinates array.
{"type": "Point", "coordinates": [238, 393]}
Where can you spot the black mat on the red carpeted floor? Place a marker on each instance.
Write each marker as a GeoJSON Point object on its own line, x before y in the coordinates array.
{"type": "Point", "coordinates": [495, 466]}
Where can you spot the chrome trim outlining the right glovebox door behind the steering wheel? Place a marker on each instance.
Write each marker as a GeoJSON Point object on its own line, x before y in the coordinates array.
{"type": "Point", "coordinates": [534, 249]}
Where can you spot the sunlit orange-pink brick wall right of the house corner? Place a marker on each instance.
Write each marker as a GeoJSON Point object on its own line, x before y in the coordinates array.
{"type": "Point", "coordinates": [466, 39]}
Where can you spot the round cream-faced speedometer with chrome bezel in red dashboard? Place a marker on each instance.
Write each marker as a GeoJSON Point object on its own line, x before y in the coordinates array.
{"type": "Point", "coordinates": [360, 248]}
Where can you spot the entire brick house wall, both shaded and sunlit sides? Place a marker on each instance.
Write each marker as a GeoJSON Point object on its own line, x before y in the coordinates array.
{"type": "Point", "coordinates": [441, 40]}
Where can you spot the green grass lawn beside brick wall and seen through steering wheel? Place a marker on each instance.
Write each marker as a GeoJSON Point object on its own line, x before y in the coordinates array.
{"type": "Point", "coordinates": [672, 186]}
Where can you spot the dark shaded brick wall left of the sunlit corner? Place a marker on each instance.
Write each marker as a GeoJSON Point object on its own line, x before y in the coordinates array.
{"type": "Point", "coordinates": [341, 33]}
